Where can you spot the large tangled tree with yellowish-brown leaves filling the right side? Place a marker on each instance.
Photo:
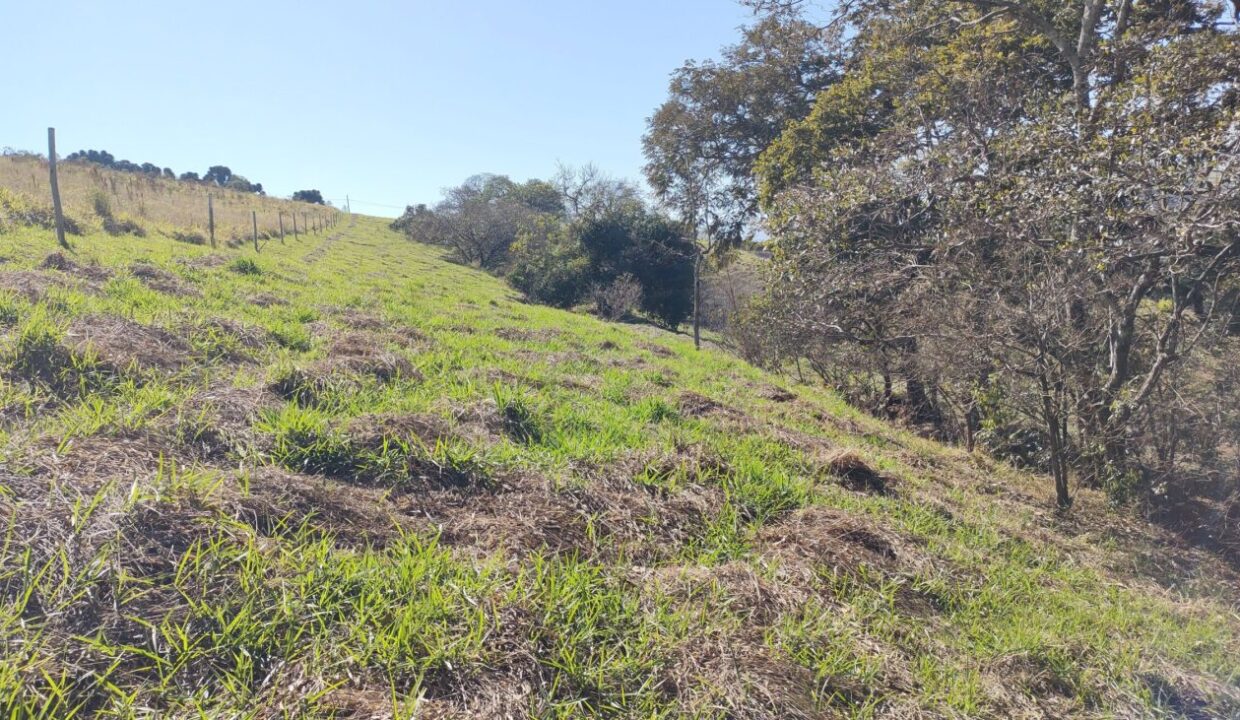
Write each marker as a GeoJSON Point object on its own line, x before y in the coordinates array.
{"type": "Point", "coordinates": [1026, 210]}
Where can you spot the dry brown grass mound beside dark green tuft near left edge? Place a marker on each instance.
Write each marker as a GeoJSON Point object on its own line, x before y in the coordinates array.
{"type": "Point", "coordinates": [122, 346]}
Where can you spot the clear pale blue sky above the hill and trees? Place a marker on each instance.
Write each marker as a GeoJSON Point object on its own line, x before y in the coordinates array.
{"type": "Point", "coordinates": [387, 102]}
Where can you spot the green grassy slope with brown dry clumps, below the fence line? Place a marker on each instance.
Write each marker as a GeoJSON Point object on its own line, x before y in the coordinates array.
{"type": "Point", "coordinates": [347, 479]}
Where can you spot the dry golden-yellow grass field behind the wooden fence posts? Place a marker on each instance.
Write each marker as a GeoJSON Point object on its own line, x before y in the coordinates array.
{"type": "Point", "coordinates": [154, 205]}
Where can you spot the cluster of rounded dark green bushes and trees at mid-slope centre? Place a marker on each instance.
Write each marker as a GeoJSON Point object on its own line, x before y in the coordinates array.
{"type": "Point", "coordinates": [581, 237]}
